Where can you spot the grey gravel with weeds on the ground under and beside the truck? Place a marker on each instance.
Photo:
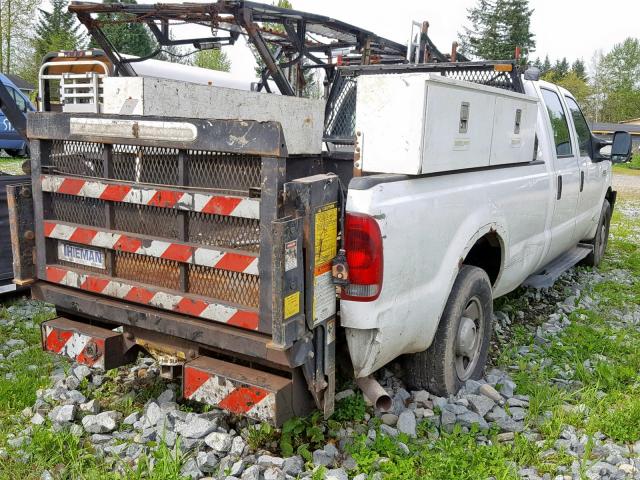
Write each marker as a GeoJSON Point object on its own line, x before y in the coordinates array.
{"type": "Point", "coordinates": [105, 409]}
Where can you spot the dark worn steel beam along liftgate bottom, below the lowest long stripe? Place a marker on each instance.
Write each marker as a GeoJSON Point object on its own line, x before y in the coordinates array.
{"type": "Point", "coordinates": [216, 336]}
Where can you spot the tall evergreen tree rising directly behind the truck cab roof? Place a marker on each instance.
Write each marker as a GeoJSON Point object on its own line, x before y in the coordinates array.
{"type": "Point", "coordinates": [497, 28]}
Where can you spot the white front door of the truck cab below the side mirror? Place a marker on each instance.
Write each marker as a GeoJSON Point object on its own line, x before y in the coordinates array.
{"type": "Point", "coordinates": [591, 176]}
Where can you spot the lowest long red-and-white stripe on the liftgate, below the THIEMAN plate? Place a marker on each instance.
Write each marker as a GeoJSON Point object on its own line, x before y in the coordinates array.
{"type": "Point", "coordinates": [149, 296]}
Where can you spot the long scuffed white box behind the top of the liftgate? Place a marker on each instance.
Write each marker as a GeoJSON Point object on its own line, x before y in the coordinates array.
{"type": "Point", "coordinates": [302, 119]}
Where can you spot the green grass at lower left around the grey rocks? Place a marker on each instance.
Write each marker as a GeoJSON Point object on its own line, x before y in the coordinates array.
{"type": "Point", "coordinates": [61, 453]}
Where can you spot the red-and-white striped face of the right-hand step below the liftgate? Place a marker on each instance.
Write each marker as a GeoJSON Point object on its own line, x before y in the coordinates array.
{"type": "Point", "coordinates": [253, 402]}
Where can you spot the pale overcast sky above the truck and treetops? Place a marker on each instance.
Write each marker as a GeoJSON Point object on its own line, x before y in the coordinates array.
{"type": "Point", "coordinates": [563, 28]}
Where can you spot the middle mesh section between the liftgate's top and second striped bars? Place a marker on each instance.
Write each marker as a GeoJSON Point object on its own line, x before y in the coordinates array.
{"type": "Point", "coordinates": [144, 220]}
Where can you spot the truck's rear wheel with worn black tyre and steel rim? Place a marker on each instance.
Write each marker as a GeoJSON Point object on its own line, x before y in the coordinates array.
{"type": "Point", "coordinates": [460, 347]}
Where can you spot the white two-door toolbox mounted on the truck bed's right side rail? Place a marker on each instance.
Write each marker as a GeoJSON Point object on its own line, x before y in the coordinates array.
{"type": "Point", "coordinates": [419, 123]}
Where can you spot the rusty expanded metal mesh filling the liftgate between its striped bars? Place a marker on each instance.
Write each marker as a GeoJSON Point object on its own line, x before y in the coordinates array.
{"type": "Point", "coordinates": [225, 173]}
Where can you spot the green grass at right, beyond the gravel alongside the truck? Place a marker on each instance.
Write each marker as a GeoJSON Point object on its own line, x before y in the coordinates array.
{"type": "Point", "coordinates": [608, 399]}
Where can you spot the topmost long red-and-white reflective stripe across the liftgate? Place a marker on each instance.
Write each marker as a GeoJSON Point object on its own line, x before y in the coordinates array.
{"type": "Point", "coordinates": [167, 198]}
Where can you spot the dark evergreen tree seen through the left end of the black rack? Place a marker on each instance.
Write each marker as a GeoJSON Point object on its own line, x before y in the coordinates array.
{"type": "Point", "coordinates": [129, 38]}
